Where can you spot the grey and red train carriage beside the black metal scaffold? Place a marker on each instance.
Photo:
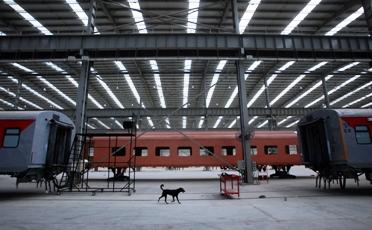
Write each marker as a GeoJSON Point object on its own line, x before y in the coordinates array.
{"type": "Point", "coordinates": [32, 141]}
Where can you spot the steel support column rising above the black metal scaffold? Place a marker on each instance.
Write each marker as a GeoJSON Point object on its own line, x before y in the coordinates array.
{"type": "Point", "coordinates": [82, 93]}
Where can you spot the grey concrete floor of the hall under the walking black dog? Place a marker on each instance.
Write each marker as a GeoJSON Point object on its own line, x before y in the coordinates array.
{"type": "Point", "coordinates": [289, 204]}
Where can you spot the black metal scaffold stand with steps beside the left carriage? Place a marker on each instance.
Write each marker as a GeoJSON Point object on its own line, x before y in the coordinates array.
{"type": "Point", "coordinates": [82, 174]}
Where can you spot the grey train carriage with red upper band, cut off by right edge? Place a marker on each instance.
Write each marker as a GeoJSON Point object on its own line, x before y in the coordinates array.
{"type": "Point", "coordinates": [337, 143]}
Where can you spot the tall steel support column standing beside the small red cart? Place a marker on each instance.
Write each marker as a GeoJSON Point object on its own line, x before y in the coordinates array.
{"type": "Point", "coordinates": [242, 93]}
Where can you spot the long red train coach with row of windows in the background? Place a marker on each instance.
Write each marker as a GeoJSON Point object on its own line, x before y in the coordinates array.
{"type": "Point", "coordinates": [196, 148]}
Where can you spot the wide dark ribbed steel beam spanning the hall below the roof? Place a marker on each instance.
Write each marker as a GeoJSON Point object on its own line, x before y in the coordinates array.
{"type": "Point", "coordinates": [181, 46]}
